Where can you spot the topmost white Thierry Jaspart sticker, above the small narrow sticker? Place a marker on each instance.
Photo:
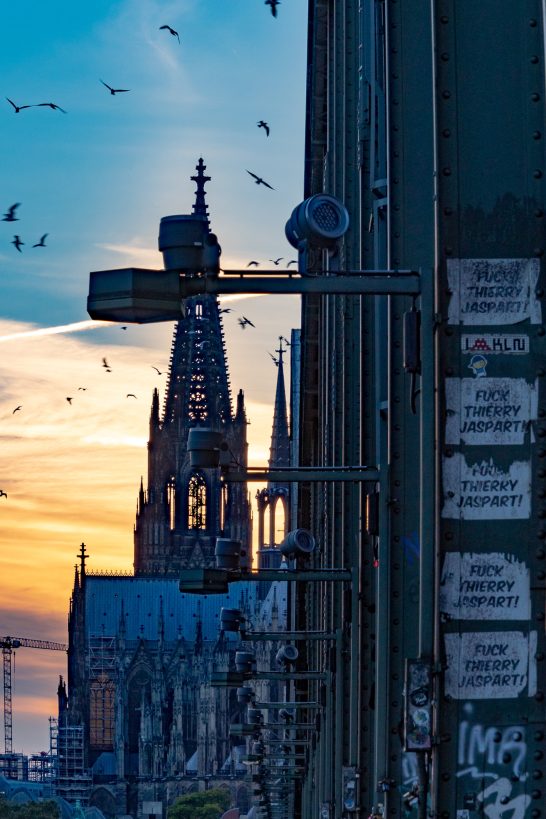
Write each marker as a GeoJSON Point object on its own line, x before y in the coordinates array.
{"type": "Point", "coordinates": [493, 291]}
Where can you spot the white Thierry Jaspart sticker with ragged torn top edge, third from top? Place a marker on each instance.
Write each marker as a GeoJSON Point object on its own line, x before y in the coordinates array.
{"type": "Point", "coordinates": [484, 491]}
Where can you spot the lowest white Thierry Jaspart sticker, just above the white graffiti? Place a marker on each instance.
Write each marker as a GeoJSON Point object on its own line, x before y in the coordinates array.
{"type": "Point", "coordinates": [490, 664]}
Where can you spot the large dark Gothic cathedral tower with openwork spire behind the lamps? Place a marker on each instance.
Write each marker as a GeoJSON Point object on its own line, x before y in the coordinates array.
{"type": "Point", "coordinates": [183, 510]}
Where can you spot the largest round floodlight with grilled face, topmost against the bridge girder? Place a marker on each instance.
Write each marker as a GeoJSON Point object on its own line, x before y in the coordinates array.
{"type": "Point", "coordinates": [321, 221]}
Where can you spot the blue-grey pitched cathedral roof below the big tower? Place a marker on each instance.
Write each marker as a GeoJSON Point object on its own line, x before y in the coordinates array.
{"type": "Point", "coordinates": [142, 599]}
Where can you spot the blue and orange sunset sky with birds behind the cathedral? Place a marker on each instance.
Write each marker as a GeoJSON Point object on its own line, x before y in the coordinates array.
{"type": "Point", "coordinates": [97, 179]}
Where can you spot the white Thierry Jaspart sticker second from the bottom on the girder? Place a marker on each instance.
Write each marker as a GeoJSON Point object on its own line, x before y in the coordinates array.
{"type": "Point", "coordinates": [485, 586]}
